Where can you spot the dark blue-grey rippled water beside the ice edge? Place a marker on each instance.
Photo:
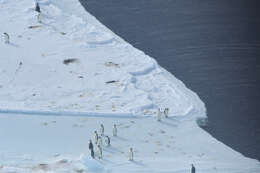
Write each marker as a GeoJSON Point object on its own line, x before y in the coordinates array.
{"type": "Point", "coordinates": [212, 46]}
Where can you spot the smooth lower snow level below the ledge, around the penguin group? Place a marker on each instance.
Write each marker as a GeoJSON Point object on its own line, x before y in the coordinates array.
{"type": "Point", "coordinates": [167, 146]}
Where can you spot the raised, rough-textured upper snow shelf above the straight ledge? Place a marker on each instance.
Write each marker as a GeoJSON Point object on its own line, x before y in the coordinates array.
{"type": "Point", "coordinates": [109, 77]}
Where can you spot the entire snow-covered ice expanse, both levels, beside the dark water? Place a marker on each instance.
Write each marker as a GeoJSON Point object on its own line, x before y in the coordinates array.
{"type": "Point", "coordinates": [49, 110]}
